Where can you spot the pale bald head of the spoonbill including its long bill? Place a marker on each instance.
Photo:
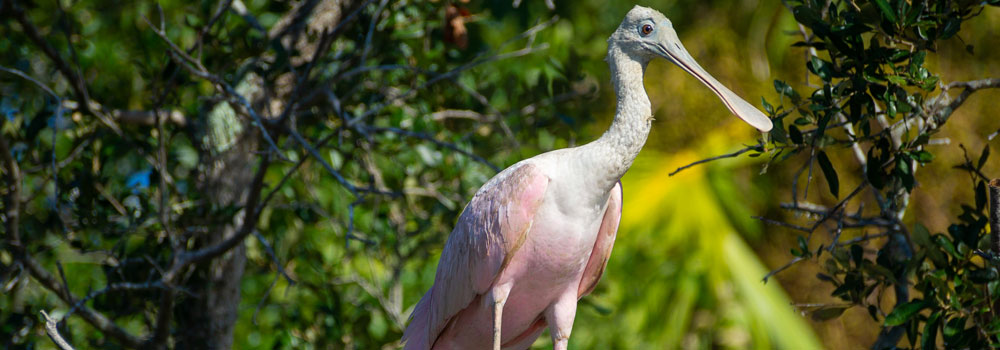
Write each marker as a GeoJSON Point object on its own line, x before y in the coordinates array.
{"type": "Point", "coordinates": [646, 34]}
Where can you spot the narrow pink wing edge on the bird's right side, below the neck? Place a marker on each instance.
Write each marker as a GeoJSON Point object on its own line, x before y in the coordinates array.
{"type": "Point", "coordinates": [605, 241]}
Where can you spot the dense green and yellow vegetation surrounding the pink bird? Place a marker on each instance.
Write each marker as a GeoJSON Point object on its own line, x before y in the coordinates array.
{"type": "Point", "coordinates": [261, 174]}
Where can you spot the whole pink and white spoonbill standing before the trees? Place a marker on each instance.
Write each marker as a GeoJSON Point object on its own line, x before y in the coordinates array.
{"type": "Point", "coordinates": [537, 237]}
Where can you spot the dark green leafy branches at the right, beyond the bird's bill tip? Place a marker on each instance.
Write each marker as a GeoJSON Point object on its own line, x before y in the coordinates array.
{"type": "Point", "coordinates": [875, 97]}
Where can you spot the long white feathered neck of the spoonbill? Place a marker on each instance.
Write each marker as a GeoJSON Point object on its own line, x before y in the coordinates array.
{"type": "Point", "coordinates": [612, 154]}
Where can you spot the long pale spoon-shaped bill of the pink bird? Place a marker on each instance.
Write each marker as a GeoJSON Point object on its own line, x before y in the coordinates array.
{"type": "Point", "coordinates": [672, 49]}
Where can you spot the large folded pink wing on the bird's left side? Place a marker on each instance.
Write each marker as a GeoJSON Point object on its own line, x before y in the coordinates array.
{"type": "Point", "coordinates": [491, 228]}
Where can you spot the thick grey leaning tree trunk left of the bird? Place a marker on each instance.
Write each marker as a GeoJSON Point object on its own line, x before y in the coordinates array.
{"type": "Point", "coordinates": [207, 321]}
